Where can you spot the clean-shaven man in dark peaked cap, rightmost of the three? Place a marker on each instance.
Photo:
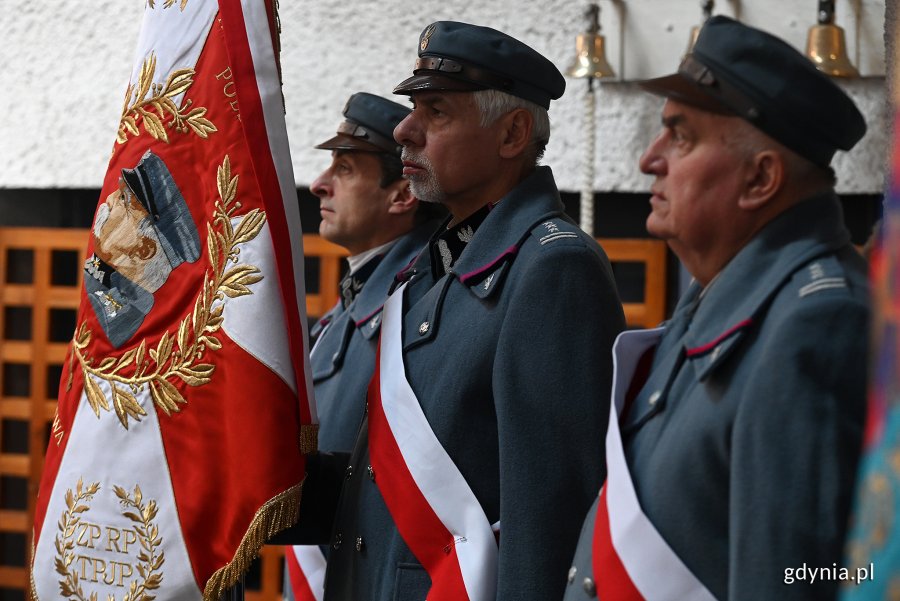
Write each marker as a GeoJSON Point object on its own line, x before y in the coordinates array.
{"type": "Point", "coordinates": [731, 466]}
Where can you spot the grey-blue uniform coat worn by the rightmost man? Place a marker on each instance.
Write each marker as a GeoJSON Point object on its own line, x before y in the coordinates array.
{"type": "Point", "coordinates": [743, 443]}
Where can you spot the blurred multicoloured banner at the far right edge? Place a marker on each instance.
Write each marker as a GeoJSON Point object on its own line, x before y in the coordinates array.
{"type": "Point", "coordinates": [873, 550]}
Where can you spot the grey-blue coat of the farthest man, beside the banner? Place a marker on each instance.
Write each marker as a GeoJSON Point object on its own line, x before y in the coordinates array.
{"type": "Point", "coordinates": [344, 355]}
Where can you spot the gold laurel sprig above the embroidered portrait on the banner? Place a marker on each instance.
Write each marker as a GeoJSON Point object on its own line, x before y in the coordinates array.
{"type": "Point", "coordinates": [152, 109]}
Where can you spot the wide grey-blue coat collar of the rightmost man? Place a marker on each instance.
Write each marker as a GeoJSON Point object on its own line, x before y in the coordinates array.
{"type": "Point", "coordinates": [811, 228]}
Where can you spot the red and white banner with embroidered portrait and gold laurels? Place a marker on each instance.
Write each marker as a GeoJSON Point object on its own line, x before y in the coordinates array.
{"type": "Point", "coordinates": [185, 405]}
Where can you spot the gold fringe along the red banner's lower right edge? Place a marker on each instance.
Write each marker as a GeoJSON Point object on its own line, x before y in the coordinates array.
{"type": "Point", "coordinates": [280, 512]}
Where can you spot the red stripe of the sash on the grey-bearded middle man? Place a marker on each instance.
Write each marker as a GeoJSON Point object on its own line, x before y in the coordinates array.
{"type": "Point", "coordinates": [422, 531]}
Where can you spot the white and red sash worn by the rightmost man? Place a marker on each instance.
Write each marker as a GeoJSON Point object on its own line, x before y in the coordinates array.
{"type": "Point", "coordinates": [631, 560]}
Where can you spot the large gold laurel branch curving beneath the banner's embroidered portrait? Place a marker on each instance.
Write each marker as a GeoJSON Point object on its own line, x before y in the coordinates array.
{"type": "Point", "coordinates": [179, 355]}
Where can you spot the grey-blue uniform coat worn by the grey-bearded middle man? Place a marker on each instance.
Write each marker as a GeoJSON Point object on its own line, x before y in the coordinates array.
{"type": "Point", "coordinates": [513, 371]}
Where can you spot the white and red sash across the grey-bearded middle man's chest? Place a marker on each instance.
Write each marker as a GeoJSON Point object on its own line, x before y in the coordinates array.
{"type": "Point", "coordinates": [435, 510]}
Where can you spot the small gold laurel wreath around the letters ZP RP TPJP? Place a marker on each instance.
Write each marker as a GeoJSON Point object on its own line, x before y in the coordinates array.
{"type": "Point", "coordinates": [150, 559]}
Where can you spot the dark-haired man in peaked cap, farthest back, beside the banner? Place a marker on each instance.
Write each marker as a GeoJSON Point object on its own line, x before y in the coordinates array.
{"type": "Point", "coordinates": [367, 208]}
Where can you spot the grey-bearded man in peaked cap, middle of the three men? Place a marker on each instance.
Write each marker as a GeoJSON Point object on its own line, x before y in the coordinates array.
{"type": "Point", "coordinates": [478, 457]}
